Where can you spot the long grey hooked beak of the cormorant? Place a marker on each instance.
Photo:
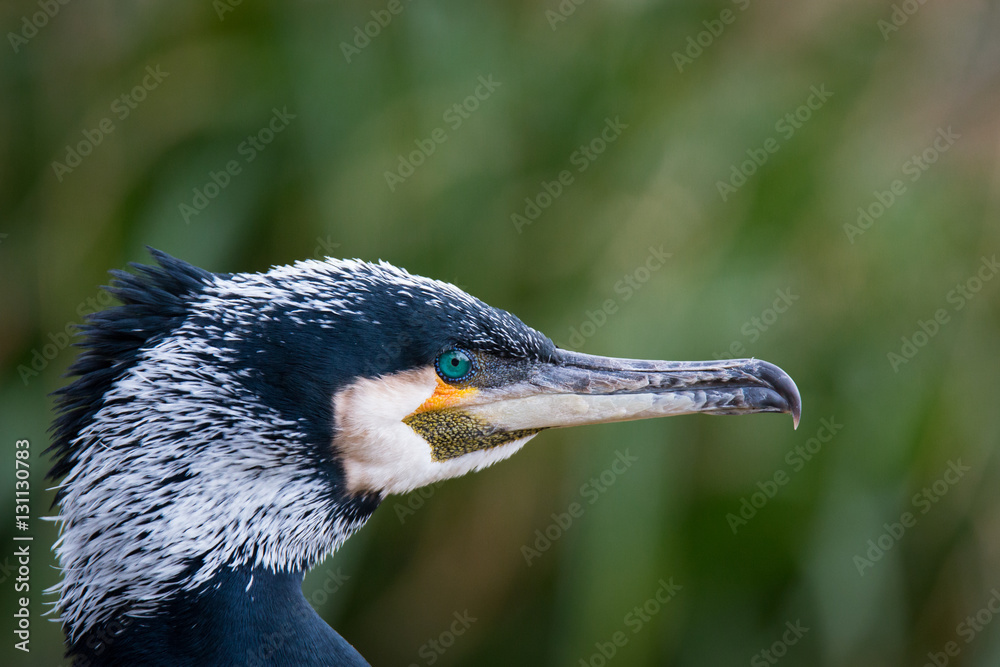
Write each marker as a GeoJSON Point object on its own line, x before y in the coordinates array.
{"type": "Point", "coordinates": [584, 389]}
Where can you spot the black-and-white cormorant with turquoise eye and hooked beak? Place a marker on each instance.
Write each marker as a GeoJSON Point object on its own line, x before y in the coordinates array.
{"type": "Point", "coordinates": [228, 431]}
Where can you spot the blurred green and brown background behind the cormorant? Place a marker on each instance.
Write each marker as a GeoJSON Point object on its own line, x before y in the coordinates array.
{"type": "Point", "coordinates": [741, 138]}
